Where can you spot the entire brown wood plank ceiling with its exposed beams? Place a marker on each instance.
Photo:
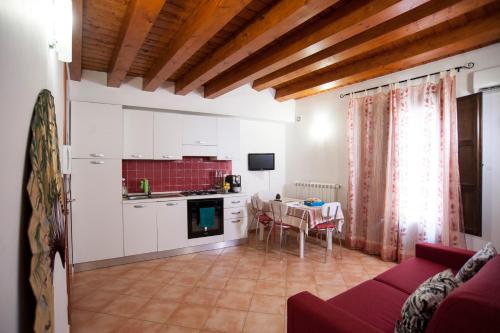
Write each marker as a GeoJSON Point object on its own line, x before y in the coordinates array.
{"type": "Point", "coordinates": [297, 47]}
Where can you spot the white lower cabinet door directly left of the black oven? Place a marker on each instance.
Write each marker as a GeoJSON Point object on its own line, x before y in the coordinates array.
{"type": "Point", "coordinates": [171, 218]}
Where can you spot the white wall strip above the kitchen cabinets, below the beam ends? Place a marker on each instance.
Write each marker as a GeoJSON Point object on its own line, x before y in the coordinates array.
{"type": "Point", "coordinates": [242, 102]}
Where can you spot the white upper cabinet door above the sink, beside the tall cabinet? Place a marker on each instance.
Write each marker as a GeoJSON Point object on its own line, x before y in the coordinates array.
{"type": "Point", "coordinates": [138, 134]}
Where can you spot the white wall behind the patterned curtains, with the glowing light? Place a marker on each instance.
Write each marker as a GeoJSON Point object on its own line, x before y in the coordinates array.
{"type": "Point", "coordinates": [317, 145]}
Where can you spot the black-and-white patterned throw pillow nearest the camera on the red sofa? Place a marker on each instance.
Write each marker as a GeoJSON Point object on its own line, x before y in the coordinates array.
{"type": "Point", "coordinates": [421, 305]}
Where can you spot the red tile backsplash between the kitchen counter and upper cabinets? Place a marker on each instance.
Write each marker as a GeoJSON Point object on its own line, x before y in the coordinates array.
{"type": "Point", "coordinates": [190, 173]}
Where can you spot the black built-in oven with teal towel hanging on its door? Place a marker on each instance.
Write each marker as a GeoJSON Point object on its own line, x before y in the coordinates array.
{"type": "Point", "coordinates": [205, 217]}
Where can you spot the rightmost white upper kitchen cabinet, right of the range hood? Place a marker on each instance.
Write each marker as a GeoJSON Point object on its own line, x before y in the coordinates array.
{"type": "Point", "coordinates": [228, 138]}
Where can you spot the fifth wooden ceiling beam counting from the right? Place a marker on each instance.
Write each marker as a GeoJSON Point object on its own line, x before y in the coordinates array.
{"type": "Point", "coordinates": [208, 18]}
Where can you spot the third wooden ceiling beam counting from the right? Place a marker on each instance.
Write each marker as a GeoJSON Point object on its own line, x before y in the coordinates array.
{"type": "Point", "coordinates": [351, 19]}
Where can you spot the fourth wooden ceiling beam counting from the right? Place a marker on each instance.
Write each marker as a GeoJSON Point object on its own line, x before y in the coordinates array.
{"type": "Point", "coordinates": [281, 18]}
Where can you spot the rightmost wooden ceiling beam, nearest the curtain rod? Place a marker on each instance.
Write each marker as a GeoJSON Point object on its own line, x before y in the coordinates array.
{"type": "Point", "coordinates": [436, 46]}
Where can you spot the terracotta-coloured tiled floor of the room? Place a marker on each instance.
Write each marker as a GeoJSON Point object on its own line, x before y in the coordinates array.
{"type": "Point", "coordinates": [236, 289]}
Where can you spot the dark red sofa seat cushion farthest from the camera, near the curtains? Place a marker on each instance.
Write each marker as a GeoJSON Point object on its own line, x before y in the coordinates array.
{"type": "Point", "coordinates": [409, 274]}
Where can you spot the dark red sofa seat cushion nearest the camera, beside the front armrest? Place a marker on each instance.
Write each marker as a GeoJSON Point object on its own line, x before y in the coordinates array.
{"type": "Point", "coordinates": [373, 302]}
